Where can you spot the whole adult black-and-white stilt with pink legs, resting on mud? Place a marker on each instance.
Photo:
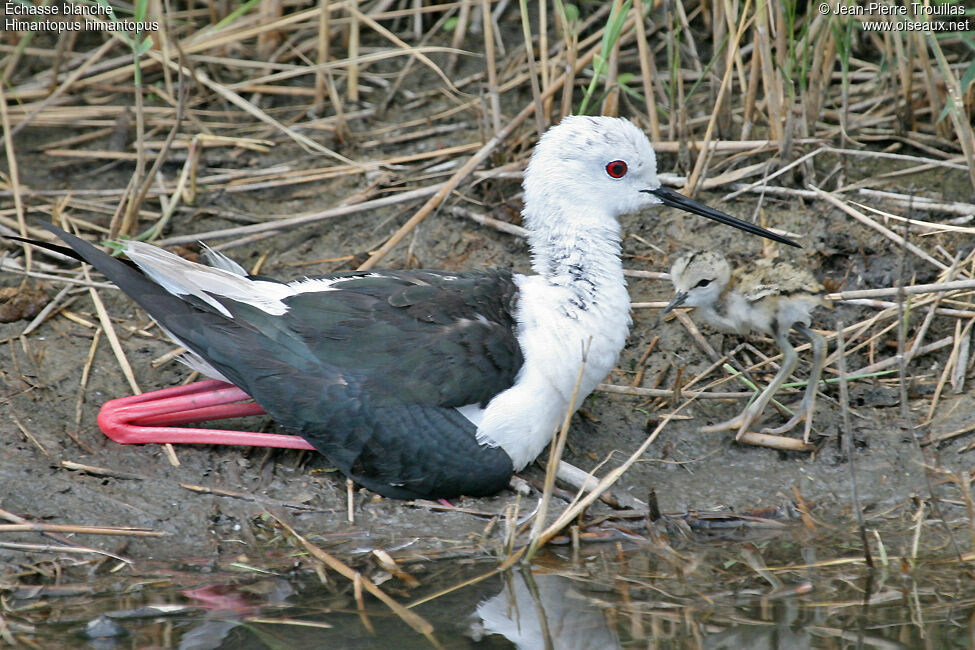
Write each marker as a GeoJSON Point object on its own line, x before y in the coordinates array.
{"type": "Point", "coordinates": [413, 383]}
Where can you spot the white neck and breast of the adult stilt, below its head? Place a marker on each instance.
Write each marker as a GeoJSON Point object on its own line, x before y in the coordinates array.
{"type": "Point", "coordinates": [577, 301]}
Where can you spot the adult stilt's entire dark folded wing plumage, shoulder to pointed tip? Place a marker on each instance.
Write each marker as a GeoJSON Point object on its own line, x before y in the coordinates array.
{"type": "Point", "coordinates": [369, 373]}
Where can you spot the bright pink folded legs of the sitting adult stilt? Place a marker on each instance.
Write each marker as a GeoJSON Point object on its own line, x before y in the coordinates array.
{"type": "Point", "coordinates": [141, 419]}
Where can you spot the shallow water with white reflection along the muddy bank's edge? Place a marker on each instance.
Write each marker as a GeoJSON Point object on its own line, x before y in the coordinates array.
{"type": "Point", "coordinates": [791, 589]}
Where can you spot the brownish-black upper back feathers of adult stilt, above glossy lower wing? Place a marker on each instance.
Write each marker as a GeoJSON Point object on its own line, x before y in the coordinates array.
{"type": "Point", "coordinates": [433, 338]}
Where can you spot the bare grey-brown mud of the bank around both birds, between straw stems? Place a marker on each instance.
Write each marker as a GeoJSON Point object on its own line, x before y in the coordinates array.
{"type": "Point", "coordinates": [214, 503]}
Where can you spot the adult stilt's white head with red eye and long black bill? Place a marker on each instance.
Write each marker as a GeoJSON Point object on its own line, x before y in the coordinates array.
{"type": "Point", "coordinates": [591, 170]}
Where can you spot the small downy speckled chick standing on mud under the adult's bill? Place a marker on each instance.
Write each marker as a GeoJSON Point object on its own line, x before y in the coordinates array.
{"type": "Point", "coordinates": [769, 296]}
